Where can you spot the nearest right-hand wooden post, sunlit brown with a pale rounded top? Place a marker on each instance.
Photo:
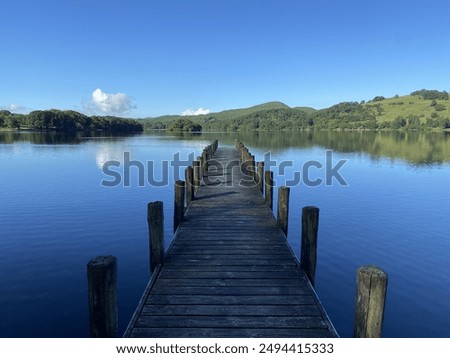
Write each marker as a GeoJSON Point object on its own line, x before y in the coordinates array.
{"type": "Point", "coordinates": [371, 285]}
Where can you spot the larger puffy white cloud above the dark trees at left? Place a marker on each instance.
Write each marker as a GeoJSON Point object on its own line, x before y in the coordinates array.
{"type": "Point", "coordinates": [110, 103]}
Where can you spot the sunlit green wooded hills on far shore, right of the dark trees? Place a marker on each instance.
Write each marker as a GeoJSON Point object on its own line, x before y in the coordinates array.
{"type": "Point", "coordinates": [423, 109]}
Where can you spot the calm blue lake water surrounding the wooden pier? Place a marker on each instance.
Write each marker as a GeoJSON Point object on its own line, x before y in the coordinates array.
{"type": "Point", "coordinates": [55, 215]}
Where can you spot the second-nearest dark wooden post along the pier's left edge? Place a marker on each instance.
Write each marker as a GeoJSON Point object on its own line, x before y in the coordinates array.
{"type": "Point", "coordinates": [155, 218]}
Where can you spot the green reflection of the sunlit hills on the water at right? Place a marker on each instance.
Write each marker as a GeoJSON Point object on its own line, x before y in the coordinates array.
{"type": "Point", "coordinates": [417, 148]}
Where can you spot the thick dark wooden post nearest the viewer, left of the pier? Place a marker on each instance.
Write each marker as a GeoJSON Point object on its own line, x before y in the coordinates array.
{"type": "Point", "coordinates": [102, 290]}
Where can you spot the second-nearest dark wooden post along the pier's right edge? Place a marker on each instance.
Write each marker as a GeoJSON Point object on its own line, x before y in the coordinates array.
{"type": "Point", "coordinates": [310, 226]}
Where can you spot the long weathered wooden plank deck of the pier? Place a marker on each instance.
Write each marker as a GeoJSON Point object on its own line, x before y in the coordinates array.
{"type": "Point", "coordinates": [229, 271]}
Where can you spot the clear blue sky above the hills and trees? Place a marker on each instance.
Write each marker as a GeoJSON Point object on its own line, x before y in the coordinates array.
{"type": "Point", "coordinates": [142, 58]}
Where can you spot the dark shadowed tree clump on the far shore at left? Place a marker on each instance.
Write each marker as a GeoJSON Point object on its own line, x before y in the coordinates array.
{"type": "Point", "coordinates": [67, 121]}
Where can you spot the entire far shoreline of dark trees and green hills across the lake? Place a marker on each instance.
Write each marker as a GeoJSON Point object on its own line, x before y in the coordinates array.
{"type": "Point", "coordinates": [420, 110]}
